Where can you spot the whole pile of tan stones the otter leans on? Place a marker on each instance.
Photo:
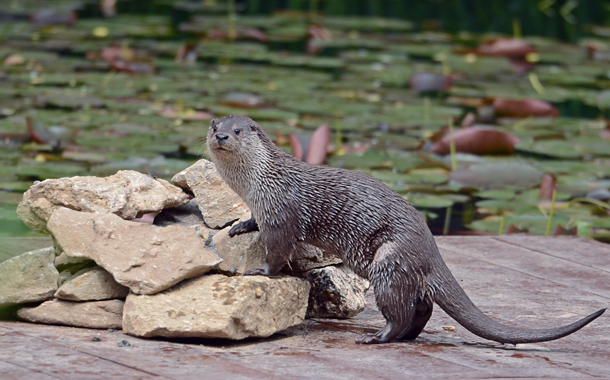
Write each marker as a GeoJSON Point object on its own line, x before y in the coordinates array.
{"type": "Point", "coordinates": [180, 276]}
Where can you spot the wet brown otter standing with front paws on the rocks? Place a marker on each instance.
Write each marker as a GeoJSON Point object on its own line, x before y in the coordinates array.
{"type": "Point", "coordinates": [377, 233]}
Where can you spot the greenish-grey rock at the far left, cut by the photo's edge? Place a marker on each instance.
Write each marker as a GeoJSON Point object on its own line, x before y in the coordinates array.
{"type": "Point", "coordinates": [29, 277]}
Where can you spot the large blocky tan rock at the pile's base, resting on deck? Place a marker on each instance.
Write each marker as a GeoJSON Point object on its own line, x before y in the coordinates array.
{"type": "Point", "coordinates": [217, 306]}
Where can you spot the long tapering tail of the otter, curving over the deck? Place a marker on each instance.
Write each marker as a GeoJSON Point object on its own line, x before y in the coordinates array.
{"type": "Point", "coordinates": [454, 301]}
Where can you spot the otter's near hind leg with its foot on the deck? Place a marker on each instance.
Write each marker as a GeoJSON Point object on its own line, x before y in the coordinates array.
{"type": "Point", "coordinates": [395, 294]}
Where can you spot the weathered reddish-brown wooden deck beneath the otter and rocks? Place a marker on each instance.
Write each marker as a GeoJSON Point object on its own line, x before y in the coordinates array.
{"type": "Point", "coordinates": [528, 281]}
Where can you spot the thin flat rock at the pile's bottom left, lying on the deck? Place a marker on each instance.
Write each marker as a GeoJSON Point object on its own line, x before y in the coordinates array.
{"type": "Point", "coordinates": [94, 315]}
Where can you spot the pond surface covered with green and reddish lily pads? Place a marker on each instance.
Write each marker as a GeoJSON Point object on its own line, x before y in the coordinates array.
{"type": "Point", "coordinates": [101, 95]}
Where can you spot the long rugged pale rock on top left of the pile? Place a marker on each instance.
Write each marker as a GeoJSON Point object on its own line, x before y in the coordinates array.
{"type": "Point", "coordinates": [128, 194]}
